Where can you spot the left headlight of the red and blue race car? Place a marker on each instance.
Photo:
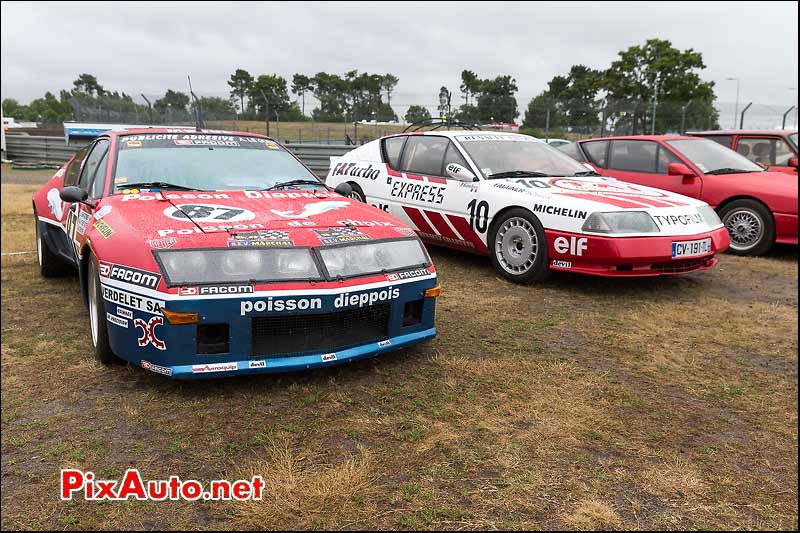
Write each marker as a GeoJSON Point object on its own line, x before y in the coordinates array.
{"type": "Point", "coordinates": [192, 267]}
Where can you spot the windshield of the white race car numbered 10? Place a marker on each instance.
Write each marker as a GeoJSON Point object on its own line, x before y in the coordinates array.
{"type": "Point", "coordinates": [499, 154]}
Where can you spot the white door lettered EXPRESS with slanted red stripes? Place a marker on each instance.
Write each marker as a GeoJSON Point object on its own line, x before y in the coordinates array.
{"type": "Point", "coordinates": [435, 204]}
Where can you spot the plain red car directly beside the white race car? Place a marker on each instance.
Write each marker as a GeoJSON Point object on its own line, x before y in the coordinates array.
{"type": "Point", "coordinates": [758, 208]}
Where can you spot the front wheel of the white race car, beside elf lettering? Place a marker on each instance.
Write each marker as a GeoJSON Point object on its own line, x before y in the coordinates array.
{"type": "Point", "coordinates": [518, 230]}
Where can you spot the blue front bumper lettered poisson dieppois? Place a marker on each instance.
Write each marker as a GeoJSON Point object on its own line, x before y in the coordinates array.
{"type": "Point", "coordinates": [268, 332]}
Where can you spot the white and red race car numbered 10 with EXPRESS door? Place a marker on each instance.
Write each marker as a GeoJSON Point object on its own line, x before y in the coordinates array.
{"type": "Point", "coordinates": [529, 207]}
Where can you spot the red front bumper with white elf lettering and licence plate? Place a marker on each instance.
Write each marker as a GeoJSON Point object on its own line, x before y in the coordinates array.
{"type": "Point", "coordinates": [631, 256]}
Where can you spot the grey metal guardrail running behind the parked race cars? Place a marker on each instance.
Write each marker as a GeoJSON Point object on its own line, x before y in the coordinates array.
{"type": "Point", "coordinates": [52, 150]}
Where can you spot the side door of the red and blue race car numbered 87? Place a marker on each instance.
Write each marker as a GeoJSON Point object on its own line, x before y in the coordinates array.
{"type": "Point", "coordinates": [92, 179]}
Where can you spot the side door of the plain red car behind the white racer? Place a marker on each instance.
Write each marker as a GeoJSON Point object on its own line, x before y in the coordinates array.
{"type": "Point", "coordinates": [646, 162]}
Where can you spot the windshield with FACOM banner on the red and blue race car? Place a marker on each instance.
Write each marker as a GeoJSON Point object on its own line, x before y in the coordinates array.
{"type": "Point", "coordinates": [205, 162]}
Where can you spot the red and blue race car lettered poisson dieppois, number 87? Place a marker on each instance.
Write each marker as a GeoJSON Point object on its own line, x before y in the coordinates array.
{"type": "Point", "coordinates": [210, 253]}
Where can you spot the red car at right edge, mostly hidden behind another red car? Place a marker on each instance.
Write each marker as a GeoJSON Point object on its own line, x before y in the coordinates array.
{"type": "Point", "coordinates": [776, 149]}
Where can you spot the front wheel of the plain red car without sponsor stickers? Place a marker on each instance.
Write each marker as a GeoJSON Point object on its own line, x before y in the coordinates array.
{"type": "Point", "coordinates": [750, 226]}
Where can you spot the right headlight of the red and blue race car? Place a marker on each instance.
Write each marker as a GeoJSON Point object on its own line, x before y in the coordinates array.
{"type": "Point", "coordinates": [372, 258]}
